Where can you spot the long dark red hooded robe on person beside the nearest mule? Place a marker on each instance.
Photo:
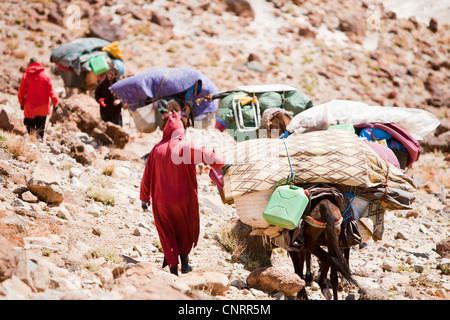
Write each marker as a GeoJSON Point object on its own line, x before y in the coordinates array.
{"type": "Point", "coordinates": [170, 182]}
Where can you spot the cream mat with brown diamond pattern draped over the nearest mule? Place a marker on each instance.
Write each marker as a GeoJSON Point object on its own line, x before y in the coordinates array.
{"type": "Point", "coordinates": [331, 156]}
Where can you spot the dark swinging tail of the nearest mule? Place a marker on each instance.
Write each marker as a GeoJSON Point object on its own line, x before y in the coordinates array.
{"type": "Point", "coordinates": [338, 260]}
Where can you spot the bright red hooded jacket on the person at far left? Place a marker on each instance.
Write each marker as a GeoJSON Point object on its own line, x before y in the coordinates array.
{"type": "Point", "coordinates": [35, 92]}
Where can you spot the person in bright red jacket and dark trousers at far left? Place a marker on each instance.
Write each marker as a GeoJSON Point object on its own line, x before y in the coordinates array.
{"type": "Point", "coordinates": [35, 92]}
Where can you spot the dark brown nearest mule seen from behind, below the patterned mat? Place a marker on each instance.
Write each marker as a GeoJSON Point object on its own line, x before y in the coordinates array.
{"type": "Point", "coordinates": [322, 229]}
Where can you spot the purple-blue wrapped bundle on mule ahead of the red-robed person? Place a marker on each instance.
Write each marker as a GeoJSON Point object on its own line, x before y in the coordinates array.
{"type": "Point", "coordinates": [154, 83]}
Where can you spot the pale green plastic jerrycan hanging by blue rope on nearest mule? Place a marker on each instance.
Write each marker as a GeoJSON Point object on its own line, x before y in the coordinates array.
{"type": "Point", "coordinates": [286, 206]}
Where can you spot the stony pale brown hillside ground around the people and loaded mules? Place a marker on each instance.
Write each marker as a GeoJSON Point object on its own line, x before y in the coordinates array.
{"type": "Point", "coordinates": [98, 244]}
